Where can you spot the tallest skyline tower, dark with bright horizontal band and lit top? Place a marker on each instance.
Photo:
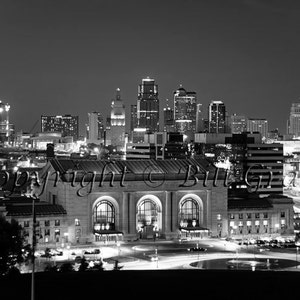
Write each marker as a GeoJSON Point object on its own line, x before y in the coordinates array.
{"type": "Point", "coordinates": [148, 105]}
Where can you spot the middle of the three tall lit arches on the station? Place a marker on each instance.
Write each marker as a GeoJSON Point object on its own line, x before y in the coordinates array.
{"type": "Point", "coordinates": [148, 217]}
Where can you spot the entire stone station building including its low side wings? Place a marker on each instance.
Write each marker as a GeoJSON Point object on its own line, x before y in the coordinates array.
{"type": "Point", "coordinates": [89, 201]}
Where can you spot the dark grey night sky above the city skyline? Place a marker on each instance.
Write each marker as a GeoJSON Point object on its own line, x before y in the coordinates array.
{"type": "Point", "coordinates": [68, 57]}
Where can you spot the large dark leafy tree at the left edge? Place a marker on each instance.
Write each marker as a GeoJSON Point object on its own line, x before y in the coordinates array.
{"type": "Point", "coordinates": [11, 244]}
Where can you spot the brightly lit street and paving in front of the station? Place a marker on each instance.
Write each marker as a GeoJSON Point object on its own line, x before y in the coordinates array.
{"type": "Point", "coordinates": [161, 254]}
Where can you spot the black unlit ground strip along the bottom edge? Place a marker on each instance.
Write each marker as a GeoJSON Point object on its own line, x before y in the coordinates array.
{"type": "Point", "coordinates": [185, 284]}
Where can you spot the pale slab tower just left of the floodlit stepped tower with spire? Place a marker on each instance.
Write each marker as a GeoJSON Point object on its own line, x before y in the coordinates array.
{"type": "Point", "coordinates": [95, 128]}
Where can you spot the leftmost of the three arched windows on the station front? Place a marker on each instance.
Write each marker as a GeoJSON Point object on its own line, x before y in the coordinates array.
{"type": "Point", "coordinates": [104, 216]}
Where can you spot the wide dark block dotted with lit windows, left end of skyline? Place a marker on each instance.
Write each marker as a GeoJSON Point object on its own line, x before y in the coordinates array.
{"type": "Point", "coordinates": [68, 125]}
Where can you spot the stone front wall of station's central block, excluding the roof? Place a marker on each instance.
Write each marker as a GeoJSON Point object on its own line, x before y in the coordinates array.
{"type": "Point", "coordinates": [139, 207]}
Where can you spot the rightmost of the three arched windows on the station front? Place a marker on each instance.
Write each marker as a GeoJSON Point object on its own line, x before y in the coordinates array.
{"type": "Point", "coordinates": [189, 213]}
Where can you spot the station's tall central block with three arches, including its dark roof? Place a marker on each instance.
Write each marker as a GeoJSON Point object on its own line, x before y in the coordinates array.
{"type": "Point", "coordinates": [140, 199]}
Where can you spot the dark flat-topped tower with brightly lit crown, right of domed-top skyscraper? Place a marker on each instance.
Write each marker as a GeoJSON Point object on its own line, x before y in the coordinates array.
{"type": "Point", "coordinates": [217, 117]}
